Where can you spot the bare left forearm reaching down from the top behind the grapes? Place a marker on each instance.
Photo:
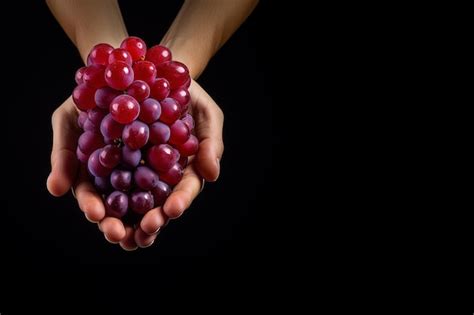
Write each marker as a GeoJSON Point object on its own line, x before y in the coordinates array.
{"type": "Point", "coordinates": [89, 22]}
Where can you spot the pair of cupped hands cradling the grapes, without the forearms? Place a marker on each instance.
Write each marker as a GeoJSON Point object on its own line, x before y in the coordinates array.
{"type": "Point", "coordinates": [67, 172]}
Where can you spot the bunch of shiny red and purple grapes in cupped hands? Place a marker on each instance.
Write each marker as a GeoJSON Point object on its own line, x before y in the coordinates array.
{"type": "Point", "coordinates": [137, 130]}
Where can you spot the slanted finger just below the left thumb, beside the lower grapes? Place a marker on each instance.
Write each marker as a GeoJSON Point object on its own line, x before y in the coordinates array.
{"type": "Point", "coordinates": [89, 201]}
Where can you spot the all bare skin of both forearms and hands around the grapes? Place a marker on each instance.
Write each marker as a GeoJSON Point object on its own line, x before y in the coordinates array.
{"type": "Point", "coordinates": [199, 30]}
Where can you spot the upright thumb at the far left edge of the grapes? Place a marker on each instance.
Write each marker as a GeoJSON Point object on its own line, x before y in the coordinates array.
{"type": "Point", "coordinates": [63, 157]}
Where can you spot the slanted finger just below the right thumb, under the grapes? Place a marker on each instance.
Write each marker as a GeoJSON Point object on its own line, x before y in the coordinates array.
{"type": "Point", "coordinates": [183, 194]}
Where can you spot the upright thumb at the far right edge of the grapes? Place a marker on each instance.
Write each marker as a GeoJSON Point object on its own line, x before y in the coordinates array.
{"type": "Point", "coordinates": [209, 124]}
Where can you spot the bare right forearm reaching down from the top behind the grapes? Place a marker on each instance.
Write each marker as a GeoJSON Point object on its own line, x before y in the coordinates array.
{"type": "Point", "coordinates": [202, 27]}
